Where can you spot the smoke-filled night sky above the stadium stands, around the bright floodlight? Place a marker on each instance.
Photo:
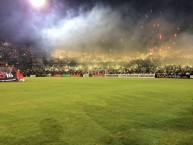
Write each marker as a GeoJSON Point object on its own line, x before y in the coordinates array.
{"type": "Point", "coordinates": [99, 25]}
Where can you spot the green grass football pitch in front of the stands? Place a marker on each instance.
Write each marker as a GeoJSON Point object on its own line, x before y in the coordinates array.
{"type": "Point", "coordinates": [96, 111]}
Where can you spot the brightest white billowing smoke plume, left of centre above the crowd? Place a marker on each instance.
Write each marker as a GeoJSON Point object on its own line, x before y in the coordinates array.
{"type": "Point", "coordinates": [88, 30]}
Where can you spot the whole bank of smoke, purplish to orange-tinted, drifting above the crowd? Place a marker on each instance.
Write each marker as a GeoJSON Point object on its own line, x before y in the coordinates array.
{"type": "Point", "coordinates": [97, 29]}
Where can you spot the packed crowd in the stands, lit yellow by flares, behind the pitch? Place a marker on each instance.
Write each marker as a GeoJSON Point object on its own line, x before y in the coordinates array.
{"type": "Point", "coordinates": [33, 61]}
